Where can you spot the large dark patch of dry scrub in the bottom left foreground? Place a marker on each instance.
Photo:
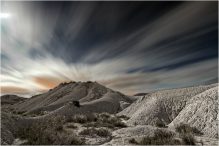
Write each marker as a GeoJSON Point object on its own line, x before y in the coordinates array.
{"type": "Point", "coordinates": [43, 133]}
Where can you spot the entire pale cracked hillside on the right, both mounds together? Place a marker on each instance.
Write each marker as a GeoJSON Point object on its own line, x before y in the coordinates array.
{"type": "Point", "coordinates": [166, 105]}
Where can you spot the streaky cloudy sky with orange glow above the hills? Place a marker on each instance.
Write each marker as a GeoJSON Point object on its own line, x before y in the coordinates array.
{"type": "Point", "coordinates": [130, 47]}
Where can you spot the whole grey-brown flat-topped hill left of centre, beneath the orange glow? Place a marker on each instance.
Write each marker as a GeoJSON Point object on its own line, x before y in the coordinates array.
{"type": "Point", "coordinates": [91, 95]}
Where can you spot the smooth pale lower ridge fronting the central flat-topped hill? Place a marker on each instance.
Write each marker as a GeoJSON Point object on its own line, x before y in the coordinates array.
{"type": "Point", "coordinates": [110, 103]}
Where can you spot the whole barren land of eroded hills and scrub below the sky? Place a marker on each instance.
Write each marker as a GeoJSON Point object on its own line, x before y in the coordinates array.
{"type": "Point", "coordinates": [104, 116]}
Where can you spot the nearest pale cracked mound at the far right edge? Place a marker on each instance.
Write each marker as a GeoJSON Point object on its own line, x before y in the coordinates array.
{"type": "Point", "coordinates": [201, 111]}
